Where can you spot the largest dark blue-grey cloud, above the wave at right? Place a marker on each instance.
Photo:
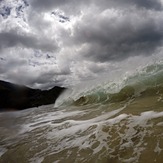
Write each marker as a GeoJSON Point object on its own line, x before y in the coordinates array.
{"type": "Point", "coordinates": [118, 38]}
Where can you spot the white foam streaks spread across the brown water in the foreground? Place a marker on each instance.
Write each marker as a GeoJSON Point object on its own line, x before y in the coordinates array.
{"type": "Point", "coordinates": [67, 130]}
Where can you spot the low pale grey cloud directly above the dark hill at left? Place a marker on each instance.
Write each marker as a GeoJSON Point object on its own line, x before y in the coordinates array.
{"type": "Point", "coordinates": [33, 77]}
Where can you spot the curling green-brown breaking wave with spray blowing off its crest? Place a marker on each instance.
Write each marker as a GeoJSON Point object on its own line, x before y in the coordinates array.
{"type": "Point", "coordinates": [145, 82]}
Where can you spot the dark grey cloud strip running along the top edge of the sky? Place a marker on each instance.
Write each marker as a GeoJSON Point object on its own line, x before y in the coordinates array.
{"type": "Point", "coordinates": [103, 4]}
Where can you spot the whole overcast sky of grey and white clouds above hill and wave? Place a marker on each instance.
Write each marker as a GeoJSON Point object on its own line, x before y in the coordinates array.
{"type": "Point", "coordinates": [63, 42]}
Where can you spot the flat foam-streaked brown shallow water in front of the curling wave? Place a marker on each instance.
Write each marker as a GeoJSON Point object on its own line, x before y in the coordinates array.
{"type": "Point", "coordinates": [123, 132]}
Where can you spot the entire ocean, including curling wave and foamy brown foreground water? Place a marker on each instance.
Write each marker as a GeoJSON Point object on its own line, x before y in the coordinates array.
{"type": "Point", "coordinates": [118, 121]}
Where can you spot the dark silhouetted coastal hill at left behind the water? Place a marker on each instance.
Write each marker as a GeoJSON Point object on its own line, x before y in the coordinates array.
{"type": "Point", "coordinates": [16, 97]}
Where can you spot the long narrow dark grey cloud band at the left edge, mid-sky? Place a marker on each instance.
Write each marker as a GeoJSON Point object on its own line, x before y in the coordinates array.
{"type": "Point", "coordinates": [12, 39]}
